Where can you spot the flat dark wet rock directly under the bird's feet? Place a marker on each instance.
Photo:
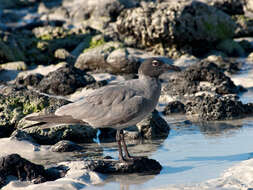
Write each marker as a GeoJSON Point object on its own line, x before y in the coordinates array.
{"type": "Point", "coordinates": [139, 165]}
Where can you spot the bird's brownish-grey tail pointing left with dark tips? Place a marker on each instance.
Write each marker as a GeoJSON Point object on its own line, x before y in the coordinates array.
{"type": "Point", "coordinates": [53, 119]}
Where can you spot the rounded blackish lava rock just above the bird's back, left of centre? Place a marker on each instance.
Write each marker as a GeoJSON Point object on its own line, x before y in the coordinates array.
{"type": "Point", "coordinates": [64, 81]}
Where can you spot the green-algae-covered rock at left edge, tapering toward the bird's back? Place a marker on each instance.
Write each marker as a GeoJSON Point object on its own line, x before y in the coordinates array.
{"type": "Point", "coordinates": [15, 103]}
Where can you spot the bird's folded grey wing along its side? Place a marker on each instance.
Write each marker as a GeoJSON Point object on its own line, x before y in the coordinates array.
{"type": "Point", "coordinates": [112, 105]}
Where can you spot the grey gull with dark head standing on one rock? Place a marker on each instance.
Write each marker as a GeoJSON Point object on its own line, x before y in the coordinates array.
{"type": "Point", "coordinates": [116, 106]}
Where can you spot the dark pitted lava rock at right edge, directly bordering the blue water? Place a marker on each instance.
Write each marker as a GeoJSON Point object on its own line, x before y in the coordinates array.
{"type": "Point", "coordinates": [217, 107]}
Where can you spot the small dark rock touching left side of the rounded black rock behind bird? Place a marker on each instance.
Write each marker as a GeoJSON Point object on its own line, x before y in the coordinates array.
{"type": "Point", "coordinates": [31, 80]}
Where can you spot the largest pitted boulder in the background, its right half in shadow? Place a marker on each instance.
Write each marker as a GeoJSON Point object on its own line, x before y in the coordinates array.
{"type": "Point", "coordinates": [186, 25]}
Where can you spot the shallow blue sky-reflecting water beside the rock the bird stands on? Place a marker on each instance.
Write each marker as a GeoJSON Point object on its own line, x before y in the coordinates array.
{"type": "Point", "coordinates": [192, 153]}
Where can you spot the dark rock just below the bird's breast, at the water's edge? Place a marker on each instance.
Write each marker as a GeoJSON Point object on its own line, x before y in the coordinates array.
{"type": "Point", "coordinates": [153, 126]}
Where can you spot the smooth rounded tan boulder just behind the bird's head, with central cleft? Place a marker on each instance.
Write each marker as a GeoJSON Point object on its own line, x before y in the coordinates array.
{"type": "Point", "coordinates": [114, 58]}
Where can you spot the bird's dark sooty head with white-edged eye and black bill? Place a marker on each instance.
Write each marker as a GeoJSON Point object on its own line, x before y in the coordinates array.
{"type": "Point", "coordinates": [154, 67]}
